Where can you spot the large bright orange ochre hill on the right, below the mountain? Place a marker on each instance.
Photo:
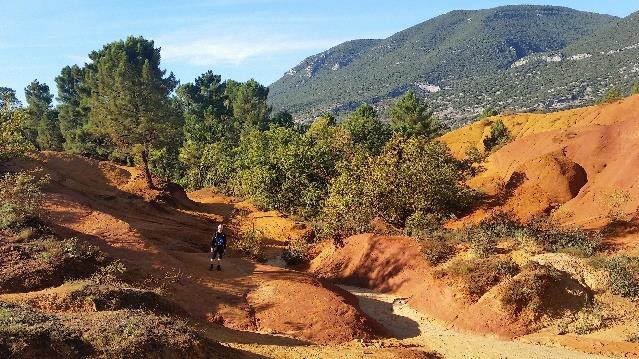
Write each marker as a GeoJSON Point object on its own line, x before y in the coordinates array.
{"type": "Point", "coordinates": [543, 169]}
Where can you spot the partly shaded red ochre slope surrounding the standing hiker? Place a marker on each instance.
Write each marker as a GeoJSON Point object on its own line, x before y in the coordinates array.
{"type": "Point", "coordinates": [163, 239]}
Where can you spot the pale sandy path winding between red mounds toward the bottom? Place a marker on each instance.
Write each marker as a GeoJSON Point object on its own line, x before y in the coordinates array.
{"type": "Point", "coordinates": [413, 328]}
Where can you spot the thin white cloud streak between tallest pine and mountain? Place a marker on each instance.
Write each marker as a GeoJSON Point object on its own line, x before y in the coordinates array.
{"type": "Point", "coordinates": [234, 50]}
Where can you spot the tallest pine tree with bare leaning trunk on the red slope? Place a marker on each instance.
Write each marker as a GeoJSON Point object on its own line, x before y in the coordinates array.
{"type": "Point", "coordinates": [130, 98]}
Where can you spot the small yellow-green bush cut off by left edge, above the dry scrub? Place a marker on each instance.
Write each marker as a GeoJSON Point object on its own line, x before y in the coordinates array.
{"type": "Point", "coordinates": [20, 198]}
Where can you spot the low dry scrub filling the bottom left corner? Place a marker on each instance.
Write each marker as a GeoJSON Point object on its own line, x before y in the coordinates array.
{"type": "Point", "coordinates": [27, 332]}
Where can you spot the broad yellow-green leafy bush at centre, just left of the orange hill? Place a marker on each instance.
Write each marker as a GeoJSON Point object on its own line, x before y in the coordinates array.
{"type": "Point", "coordinates": [410, 175]}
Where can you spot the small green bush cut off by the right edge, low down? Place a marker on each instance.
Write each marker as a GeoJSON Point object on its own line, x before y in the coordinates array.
{"type": "Point", "coordinates": [624, 276]}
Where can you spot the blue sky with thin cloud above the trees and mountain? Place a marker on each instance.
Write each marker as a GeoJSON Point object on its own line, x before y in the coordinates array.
{"type": "Point", "coordinates": [239, 39]}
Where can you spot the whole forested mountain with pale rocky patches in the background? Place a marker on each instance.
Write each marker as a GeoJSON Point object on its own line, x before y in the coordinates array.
{"type": "Point", "coordinates": [513, 58]}
